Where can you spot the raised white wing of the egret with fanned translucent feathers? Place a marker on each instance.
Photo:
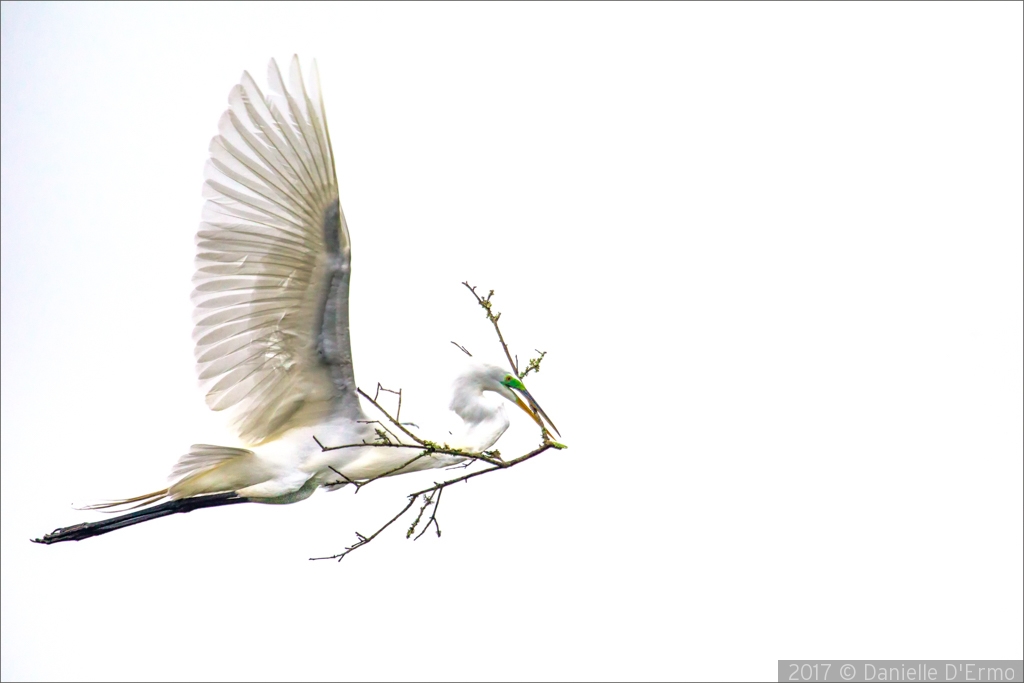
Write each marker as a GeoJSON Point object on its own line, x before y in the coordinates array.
{"type": "Point", "coordinates": [273, 264]}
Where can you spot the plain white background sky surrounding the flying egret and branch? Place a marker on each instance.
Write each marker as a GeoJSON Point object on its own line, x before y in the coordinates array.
{"type": "Point", "coordinates": [773, 250]}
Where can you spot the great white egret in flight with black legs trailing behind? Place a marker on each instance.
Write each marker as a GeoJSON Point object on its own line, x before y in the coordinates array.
{"type": "Point", "coordinates": [272, 329]}
